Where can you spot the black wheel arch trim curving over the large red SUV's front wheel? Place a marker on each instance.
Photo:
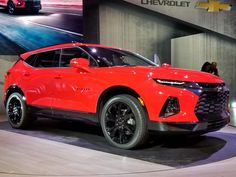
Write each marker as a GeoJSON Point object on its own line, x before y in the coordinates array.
{"type": "Point", "coordinates": [113, 91]}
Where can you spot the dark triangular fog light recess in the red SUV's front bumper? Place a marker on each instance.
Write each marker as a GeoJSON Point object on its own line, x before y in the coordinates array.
{"type": "Point", "coordinates": [170, 108]}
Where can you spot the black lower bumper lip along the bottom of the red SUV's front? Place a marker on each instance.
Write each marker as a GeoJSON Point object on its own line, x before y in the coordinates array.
{"type": "Point", "coordinates": [204, 126]}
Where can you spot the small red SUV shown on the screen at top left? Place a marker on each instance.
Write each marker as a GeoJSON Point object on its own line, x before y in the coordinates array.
{"type": "Point", "coordinates": [30, 5]}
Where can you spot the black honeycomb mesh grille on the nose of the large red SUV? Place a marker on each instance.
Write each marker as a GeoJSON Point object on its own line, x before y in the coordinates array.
{"type": "Point", "coordinates": [212, 102]}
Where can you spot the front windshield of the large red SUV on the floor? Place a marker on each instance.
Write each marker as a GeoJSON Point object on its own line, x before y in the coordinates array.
{"type": "Point", "coordinates": [106, 57]}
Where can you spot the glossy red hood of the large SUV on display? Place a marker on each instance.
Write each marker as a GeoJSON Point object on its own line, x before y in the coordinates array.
{"type": "Point", "coordinates": [169, 73]}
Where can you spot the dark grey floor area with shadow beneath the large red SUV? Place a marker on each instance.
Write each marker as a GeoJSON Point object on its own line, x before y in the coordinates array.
{"type": "Point", "coordinates": [171, 151]}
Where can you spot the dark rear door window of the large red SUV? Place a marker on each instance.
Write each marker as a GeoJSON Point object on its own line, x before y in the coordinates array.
{"type": "Point", "coordinates": [48, 59]}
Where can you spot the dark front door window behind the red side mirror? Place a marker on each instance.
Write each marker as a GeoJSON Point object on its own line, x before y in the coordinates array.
{"type": "Point", "coordinates": [69, 53]}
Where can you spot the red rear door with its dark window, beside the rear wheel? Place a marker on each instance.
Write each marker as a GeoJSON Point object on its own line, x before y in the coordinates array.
{"type": "Point", "coordinates": [38, 78]}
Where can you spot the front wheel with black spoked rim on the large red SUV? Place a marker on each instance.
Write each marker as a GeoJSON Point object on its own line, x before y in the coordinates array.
{"type": "Point", "coordinates": [124, 122]}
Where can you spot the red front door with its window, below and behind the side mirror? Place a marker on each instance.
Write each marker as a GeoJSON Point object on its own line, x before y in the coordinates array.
{"type": "Point", "coordinates": [73, 87]}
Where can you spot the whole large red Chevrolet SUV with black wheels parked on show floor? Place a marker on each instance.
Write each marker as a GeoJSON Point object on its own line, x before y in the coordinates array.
{"type": "Point", "coordinates": [125, 93]}
